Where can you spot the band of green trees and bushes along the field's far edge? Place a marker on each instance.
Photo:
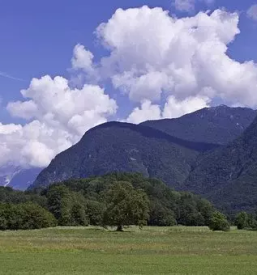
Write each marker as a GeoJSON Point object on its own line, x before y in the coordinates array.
{"type": "Point", "coordinates": [118, 199]}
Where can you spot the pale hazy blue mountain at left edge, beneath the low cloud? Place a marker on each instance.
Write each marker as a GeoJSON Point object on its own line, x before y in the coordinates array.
{"type": "Point", "coordinates": [17, 177]}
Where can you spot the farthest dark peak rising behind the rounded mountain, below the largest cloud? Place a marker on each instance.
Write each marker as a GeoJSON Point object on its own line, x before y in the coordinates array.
{"type": "Point", "coordinates": [218, 125]}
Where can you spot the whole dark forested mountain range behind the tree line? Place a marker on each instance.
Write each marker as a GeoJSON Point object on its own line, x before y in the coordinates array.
{"type": "Point", "coordinates": [189, 153]}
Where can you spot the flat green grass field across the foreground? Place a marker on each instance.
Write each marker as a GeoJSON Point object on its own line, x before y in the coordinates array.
{"type": "Point", "coordinates": [176, 250]}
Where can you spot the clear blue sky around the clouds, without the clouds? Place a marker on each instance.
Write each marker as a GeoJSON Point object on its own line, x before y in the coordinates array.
{"type": "Point", "coordinates": [37, 37]}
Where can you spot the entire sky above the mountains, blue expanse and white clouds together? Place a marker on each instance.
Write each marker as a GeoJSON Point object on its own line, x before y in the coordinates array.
{"type": "Point", "coordinates": [67, 66]}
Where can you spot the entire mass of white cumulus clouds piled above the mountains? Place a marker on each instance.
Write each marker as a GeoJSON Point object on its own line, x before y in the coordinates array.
{"type": "Point", "coordinates": [166, 66]}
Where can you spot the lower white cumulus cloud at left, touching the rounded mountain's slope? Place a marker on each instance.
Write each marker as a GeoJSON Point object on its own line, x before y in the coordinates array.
{"type": "Point", "coordinates": [57, 118]}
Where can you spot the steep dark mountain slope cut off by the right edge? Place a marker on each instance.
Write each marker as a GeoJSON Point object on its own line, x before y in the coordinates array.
{"type": "Point", "coordinates": [228, 176]}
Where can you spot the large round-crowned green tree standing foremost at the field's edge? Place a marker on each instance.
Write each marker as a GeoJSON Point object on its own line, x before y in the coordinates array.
{"type": "Point", "coordinates": [126, 206]}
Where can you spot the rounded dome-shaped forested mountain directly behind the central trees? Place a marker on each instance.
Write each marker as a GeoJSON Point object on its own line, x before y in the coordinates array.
{"type": "Point", "coordinates": [124, 147]}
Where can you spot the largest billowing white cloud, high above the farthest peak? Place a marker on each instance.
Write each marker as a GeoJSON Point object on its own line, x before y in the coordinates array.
{"type": "Point", "coordinates": [153, 55]}
